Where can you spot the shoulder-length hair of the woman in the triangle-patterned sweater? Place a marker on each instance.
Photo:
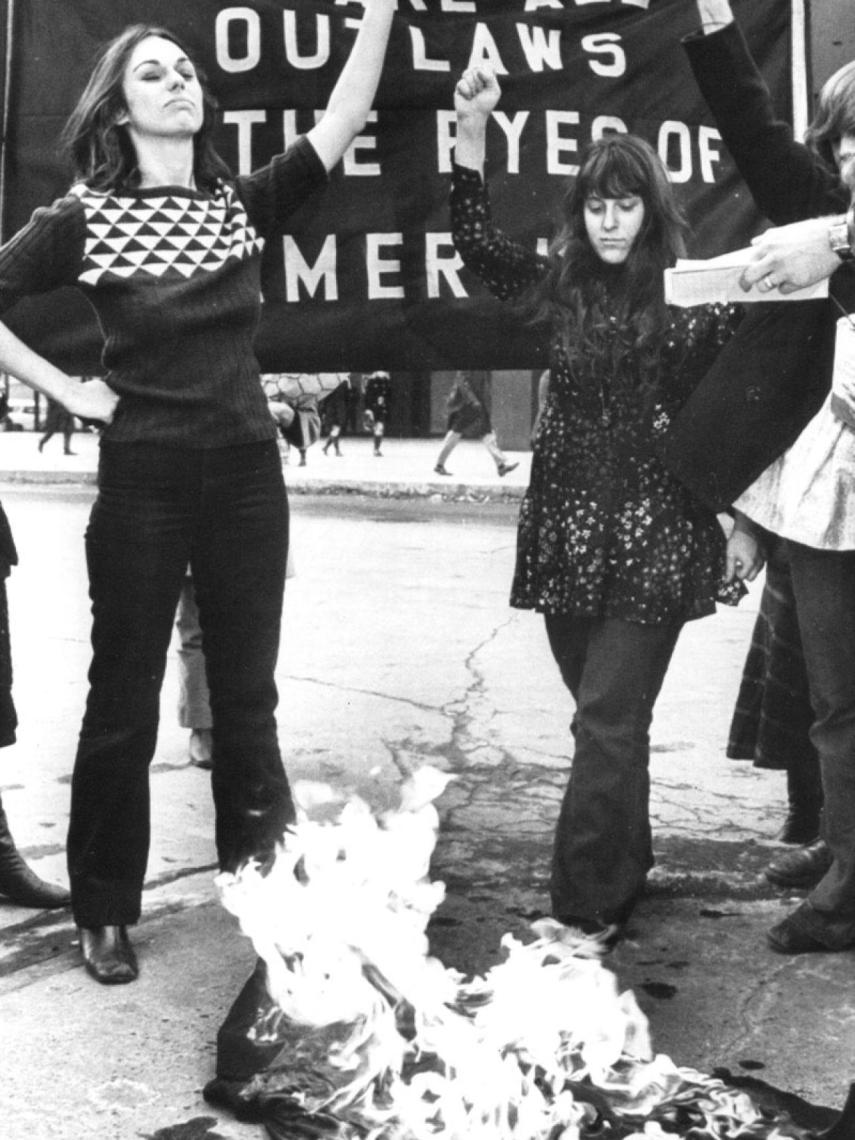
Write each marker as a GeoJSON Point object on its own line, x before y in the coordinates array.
{"type": "Point", "coordinates": [100, 149]}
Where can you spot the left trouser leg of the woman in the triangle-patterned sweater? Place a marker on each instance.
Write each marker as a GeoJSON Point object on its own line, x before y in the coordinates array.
{"type": "Point", "coordinates": [137, 555]}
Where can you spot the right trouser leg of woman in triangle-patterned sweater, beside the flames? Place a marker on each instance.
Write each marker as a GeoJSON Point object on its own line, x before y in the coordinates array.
{"type": "Point", "coordinates": [239, 569]}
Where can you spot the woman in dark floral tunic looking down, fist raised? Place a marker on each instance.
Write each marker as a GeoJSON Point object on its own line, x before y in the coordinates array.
{"type": "Point", "coordinates": [614, 551]}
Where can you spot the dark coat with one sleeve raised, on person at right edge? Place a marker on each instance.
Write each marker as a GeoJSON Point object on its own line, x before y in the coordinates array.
{"type": "Point", "coordinates": [769, 381]}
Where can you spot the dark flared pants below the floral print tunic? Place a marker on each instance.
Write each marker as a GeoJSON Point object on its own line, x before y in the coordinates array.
{"type": "Point", "coordinates": [604, 851]}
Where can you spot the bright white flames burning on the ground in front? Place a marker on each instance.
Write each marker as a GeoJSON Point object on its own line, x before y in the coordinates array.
{"type": "Point", "coordinates": [540, 1048]}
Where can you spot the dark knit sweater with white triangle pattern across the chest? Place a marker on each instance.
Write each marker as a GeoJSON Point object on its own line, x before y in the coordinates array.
{"type": "Point", "coordinates": [175, 279]}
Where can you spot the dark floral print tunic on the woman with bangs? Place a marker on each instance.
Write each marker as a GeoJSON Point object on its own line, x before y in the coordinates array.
{"type": "Point", "coordinates": [605, 530]}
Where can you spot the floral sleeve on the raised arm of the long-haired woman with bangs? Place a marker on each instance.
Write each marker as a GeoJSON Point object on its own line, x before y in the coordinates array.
{"type": "Point", "coordinates": [506, 267]}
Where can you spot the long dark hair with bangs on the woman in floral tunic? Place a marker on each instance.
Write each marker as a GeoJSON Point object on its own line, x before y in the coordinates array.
{"type": "Point", "coordinates": [580, 290]}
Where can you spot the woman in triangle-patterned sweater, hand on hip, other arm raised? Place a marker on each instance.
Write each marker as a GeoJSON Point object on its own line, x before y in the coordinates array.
{"type": "Point", "coordinates": [190, 471]}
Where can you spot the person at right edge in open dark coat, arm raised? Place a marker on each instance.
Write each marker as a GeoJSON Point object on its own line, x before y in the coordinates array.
{"type": "Point", "coordinates": [789, 462]}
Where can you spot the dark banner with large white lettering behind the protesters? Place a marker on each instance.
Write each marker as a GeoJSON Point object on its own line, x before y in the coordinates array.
{"type": "Point", "coordinates": [368, 278]}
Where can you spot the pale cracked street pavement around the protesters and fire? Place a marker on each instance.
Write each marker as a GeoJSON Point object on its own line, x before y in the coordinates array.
{"type": "Point", "coordinates": [400, 650]}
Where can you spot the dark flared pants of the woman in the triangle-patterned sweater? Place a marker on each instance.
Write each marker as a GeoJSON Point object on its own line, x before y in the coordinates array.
{"type": "Point", "coordinates": [224, 512]}
